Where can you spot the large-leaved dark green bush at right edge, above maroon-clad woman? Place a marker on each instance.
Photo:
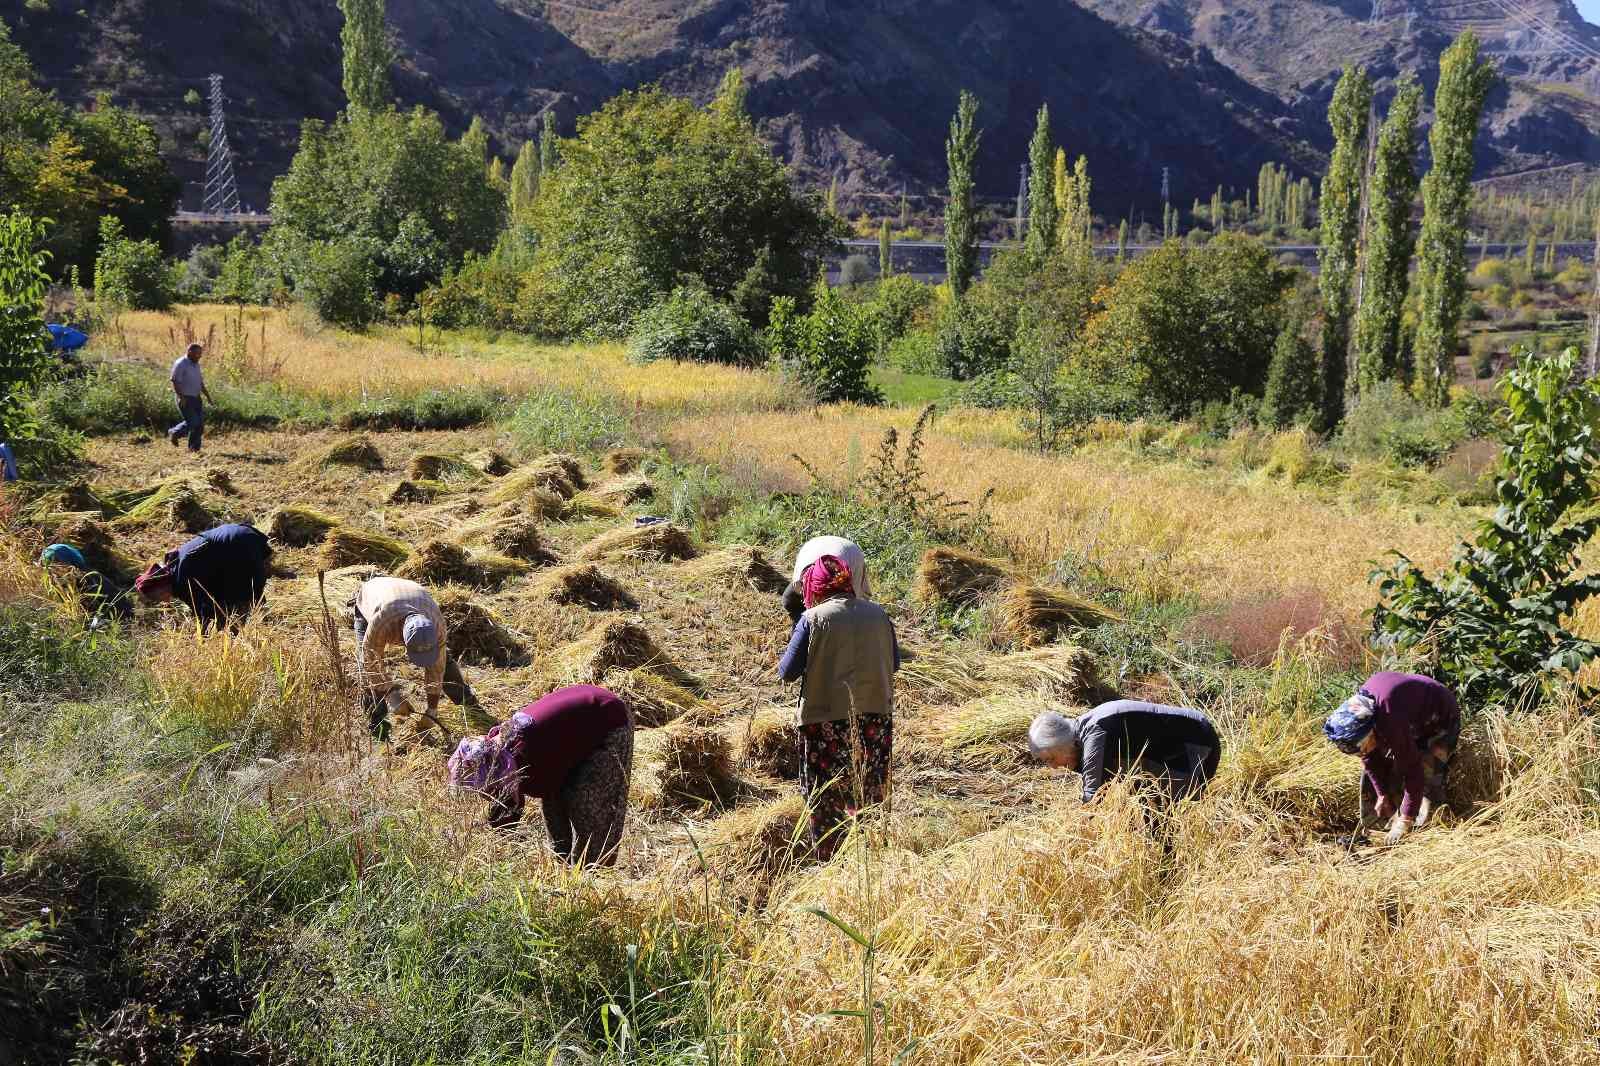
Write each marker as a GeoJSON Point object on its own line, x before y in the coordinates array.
{"type": "Point", "coordinates": [1495, 623]}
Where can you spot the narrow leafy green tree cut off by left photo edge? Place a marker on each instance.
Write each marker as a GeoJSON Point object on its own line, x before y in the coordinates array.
{"type": "Point", "coordinates": [25, 358]}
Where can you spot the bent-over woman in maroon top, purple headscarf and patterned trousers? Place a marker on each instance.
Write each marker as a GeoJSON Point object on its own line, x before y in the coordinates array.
{"type": "Point", "coordinates": [574, 751]}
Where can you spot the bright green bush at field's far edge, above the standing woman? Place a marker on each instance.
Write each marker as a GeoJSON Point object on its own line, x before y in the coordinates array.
{"type": "Point", "coordinates": [828, 351]}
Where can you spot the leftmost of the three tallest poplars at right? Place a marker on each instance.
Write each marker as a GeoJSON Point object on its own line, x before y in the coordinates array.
{"type": "Point", "coordinates": [1342, 204]}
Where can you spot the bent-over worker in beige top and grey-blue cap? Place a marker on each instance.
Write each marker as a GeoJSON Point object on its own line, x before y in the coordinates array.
{"type": "Point", "coordinates": [394, 612]}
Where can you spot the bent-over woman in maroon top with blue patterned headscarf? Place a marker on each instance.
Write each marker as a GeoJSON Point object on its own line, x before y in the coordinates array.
{"type": "Point", "coordinates": [1406, 727]}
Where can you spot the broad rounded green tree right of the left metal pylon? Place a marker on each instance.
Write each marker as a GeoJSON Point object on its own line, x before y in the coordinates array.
{"type": "Point", "coordinates": [383, 178]}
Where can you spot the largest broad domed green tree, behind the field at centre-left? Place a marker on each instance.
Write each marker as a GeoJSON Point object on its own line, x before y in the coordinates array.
{"type": "Point", "coordinates": [655, 191]}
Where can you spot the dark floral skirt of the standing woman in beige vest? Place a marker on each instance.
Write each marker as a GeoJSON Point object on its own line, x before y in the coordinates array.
{"type": "Point", "coordinates": [830, 759]}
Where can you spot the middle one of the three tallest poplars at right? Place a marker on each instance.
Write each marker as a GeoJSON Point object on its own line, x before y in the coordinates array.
{"type": "Point", "coordinates": [1390, 242]}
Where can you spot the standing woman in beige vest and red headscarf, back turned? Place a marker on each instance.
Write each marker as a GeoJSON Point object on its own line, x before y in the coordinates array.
{"type": "Point", "coordinates": [844, 654]}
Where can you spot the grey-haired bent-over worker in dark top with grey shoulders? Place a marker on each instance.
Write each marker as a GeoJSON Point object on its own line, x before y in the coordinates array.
{"type": "Point", "coordinates": [1178, 747]}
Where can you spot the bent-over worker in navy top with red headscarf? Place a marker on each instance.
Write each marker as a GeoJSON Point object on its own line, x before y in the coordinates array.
{"type": "Point", "coordinates": [220, 574]}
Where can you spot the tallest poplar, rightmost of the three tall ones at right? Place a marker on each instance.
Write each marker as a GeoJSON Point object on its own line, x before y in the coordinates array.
{"type": "Point", "coordinates": [1447, 199]}
